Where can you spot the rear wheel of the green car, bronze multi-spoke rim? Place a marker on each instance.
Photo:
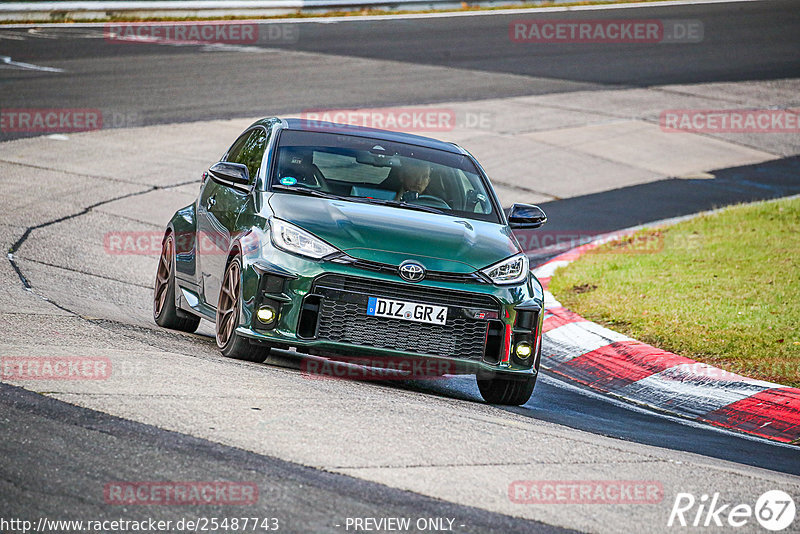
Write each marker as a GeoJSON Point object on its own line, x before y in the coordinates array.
{"type": "Point", "coordinates": [165, 313]}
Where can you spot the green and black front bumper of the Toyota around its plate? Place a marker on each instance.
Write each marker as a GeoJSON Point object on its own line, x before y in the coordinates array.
{"type": "Point", "coordinates": [321, 308]}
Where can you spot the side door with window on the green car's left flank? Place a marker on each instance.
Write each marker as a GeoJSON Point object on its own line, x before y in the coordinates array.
{"type": "Point", "coordinates": [218, 208]}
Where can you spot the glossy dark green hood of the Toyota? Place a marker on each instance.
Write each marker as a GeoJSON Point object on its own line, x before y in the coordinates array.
{"type": "Point", "coordinates": [392, 235]}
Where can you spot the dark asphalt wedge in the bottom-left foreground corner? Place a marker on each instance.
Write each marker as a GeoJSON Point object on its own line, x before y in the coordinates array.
{"type": "Point", "coordinates": [100, 444]}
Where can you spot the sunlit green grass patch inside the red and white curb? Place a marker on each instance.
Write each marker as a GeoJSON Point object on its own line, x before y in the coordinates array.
{"type": "Point", "coordinates": [722, 288]}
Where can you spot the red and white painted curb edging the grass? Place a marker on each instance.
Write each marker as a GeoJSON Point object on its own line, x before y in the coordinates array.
{"type": "Point", "coordinates": [607, 361]}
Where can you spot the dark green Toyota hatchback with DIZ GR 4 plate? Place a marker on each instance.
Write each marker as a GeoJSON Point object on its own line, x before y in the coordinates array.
{"type": "Point", "coordinates": [342, 242]}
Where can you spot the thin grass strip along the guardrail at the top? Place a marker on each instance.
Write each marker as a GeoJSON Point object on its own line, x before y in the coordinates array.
{"type": "Point", "coordinates": [57, 16]}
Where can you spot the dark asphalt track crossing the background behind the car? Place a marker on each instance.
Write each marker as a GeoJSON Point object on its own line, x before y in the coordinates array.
{"type": "Point", "coordinates": [388, 62]}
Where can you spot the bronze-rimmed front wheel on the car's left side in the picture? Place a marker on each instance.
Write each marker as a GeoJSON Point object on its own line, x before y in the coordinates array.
{"type": "Point", "coordinates": [231, 344]}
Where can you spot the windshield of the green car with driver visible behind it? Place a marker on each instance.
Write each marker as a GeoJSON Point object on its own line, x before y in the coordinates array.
{"type": "Point", "coordinates": [383, 172]}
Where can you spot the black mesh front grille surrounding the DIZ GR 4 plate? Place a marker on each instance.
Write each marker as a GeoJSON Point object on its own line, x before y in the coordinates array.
{"type": "Point", "coordinates": [342, 318]}
